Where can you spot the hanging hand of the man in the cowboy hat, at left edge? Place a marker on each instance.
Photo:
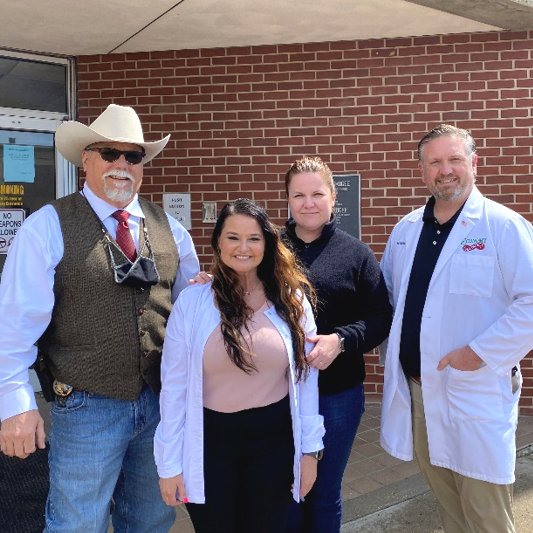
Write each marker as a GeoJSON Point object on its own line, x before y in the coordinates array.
{"type": "Point", "coordinates": [22, 434]}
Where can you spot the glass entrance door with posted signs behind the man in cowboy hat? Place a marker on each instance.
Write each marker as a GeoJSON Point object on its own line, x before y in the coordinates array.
{"type": "Point", "coordinates": [37, 93]}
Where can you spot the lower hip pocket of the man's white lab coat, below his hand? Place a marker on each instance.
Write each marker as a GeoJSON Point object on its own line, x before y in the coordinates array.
{"type": "Point", "coordinates": [474, 394]}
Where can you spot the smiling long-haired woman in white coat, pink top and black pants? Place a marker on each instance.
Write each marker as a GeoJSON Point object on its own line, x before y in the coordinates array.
{"type": "Point", "coordinates": [239, 403]}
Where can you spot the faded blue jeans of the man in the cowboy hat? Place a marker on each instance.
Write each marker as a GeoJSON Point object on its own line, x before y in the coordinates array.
{"type": "Point", "coordinates": [101, 451]}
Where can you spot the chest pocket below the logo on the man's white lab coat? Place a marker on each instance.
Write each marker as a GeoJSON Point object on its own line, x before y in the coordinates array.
{"type": "Point", "coordinates": [472, 275]}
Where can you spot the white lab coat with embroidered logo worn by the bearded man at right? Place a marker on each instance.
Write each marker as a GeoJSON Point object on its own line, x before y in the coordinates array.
{"type": "Point", "coordinates": [481, 295]}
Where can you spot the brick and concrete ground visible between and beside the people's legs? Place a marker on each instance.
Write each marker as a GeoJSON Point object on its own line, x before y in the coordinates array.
{"type": "Point", "coordinates": [384, 494]}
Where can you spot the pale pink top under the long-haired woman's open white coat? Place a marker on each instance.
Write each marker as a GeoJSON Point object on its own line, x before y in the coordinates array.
{"type": "Point", "coordinates": [228, 389]}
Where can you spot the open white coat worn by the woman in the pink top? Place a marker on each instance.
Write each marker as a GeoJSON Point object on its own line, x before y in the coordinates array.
{"type": "Point", "coordinates": [178, 444]}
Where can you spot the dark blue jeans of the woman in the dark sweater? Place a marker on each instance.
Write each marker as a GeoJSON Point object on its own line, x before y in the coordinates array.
{"type": "Point", "coordinates": [322, 510]}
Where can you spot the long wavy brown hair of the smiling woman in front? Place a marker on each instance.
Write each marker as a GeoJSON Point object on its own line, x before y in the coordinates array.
{"type": "Point", "coordinates": [283, 281]}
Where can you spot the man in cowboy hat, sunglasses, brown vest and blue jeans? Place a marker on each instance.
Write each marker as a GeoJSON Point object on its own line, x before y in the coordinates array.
{"type": "Point", "coordinates": [90, 279]}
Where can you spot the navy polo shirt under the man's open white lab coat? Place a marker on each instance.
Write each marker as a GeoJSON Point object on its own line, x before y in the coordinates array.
{"type": "Point", "coordinates": [428, 249]}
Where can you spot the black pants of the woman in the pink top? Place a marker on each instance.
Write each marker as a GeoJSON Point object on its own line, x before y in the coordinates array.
{"type": "Point", "coordinates": [248, 471]}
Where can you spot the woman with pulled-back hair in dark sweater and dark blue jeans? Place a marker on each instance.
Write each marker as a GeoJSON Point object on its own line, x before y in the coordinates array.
{"type": "Point", "coordinates": [353, 317]}
